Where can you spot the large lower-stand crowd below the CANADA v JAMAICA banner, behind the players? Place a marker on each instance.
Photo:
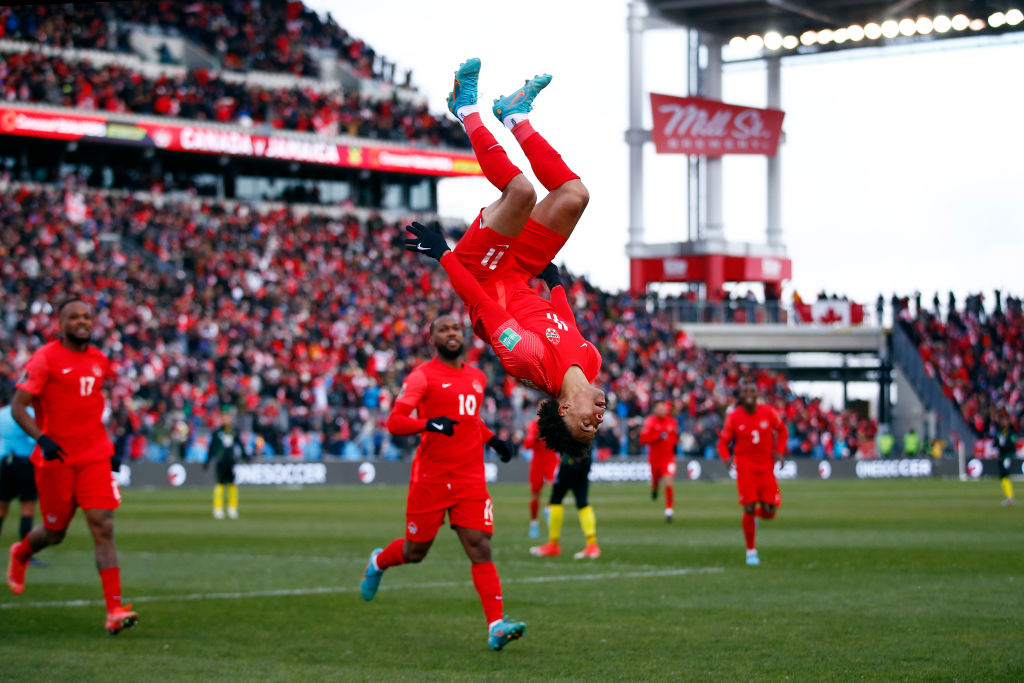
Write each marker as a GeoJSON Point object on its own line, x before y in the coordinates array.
{"type": "Point", "coordinates": [303, 327]}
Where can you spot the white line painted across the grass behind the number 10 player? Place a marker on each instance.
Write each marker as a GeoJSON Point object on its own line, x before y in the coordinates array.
{"type": "Point", "coordinates": [352, 589]}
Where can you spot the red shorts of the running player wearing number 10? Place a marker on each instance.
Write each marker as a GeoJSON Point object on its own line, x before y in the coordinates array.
{"type": "Point", "coordinates": [466, 504]}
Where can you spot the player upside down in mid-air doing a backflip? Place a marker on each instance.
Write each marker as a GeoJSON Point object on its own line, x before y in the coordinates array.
{"type": "Point", "coordinates": [511, 242]}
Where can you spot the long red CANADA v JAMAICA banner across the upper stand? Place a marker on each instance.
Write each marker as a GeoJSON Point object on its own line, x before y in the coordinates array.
{"type": "Point", "coordinates": [176, 137]}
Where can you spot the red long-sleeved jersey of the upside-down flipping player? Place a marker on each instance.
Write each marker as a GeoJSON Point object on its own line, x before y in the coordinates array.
{"type": "Point", "coordinates": [537, 340]}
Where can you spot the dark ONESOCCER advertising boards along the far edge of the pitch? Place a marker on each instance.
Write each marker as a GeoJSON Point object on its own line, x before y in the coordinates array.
{"type": "Point", "coordinates": [298, 474]}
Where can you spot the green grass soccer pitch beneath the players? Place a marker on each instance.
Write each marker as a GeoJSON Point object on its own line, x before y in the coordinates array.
{"type": "Point", "coordinates": [860, 580]}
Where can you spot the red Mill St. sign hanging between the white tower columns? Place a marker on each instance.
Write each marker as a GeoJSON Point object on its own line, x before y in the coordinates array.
{"type": "Point", "coordinates": [710, 129]}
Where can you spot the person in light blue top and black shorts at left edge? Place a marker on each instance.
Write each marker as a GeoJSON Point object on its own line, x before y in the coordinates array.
{"type": "Point", "coordinates": [18, 477]}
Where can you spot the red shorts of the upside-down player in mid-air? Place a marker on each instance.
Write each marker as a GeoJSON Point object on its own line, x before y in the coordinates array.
{"type": "Point", "coordinates": [491, 257]}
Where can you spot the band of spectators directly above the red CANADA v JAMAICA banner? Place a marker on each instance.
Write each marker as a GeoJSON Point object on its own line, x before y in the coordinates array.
{"type": "Point", "coordinates": [203, 96]}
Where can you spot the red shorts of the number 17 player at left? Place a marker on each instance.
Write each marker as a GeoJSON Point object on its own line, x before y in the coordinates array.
{"type": "Point", "coordinates": [64, 489]}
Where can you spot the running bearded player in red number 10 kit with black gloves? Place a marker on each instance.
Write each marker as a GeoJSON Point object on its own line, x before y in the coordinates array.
{"type": "Point", "coordinates": [448, 475]}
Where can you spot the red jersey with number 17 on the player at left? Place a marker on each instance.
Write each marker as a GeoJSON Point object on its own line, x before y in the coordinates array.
{"type": "Point", "coordinates": [69, 402]}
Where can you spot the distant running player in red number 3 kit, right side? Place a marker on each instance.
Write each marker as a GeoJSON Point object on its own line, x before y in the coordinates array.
{"type": "Point", "coordinates": [758, 437]}
